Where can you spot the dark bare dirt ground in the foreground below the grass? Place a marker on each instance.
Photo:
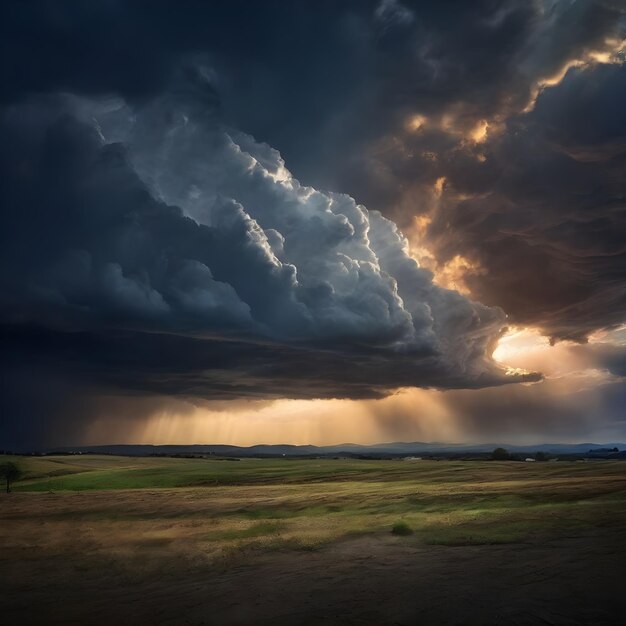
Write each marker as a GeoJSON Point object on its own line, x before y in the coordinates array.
{"type": "Point", "coordinates": [377, 579]}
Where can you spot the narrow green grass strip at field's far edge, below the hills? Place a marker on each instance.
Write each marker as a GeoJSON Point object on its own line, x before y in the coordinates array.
{"type": "Point", "coordinates": [94, 472]}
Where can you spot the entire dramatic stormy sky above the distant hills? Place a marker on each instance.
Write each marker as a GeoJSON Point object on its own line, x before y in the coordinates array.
{"type": "Point", "coordinates": [312, 221]}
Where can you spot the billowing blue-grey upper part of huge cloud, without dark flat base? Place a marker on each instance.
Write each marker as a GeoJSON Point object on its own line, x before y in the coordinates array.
{"type": "Point", "coordinates": [191, 227]}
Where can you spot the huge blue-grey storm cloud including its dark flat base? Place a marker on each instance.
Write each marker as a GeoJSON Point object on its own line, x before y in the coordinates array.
{"type": "Point", "coordinates": [187, 261]}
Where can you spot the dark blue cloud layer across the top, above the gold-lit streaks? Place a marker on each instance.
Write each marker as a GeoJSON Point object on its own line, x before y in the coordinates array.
{"type": "Point", "coordinates": [319, 74]}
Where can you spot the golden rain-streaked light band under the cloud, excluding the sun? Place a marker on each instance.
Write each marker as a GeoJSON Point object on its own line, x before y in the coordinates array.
{"type": "Point", "coordinates": [407, 414]}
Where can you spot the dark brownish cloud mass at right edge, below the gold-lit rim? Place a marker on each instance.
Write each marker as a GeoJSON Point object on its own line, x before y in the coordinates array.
{"type": "Point", "coordinates": [544, 215]}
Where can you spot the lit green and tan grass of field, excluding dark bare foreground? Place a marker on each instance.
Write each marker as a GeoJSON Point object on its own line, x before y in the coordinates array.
{"type": "Point", "coordinates": [223, 506]}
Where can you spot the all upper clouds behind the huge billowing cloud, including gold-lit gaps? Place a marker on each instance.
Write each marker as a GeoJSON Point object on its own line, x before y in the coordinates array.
{"type": "Point", "coordinates": [507, 102]}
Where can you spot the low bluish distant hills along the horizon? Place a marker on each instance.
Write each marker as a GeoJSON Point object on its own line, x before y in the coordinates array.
{"type": "Point", "coordinates": [395, 449]}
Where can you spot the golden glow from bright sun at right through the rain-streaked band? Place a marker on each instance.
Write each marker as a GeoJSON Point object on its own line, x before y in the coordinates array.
{"type": "Point", "coordinates": [407, 415]}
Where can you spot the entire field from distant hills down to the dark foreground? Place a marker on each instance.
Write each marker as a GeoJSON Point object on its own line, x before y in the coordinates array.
{"type": "Point", "coordinates": [102, 539]}
